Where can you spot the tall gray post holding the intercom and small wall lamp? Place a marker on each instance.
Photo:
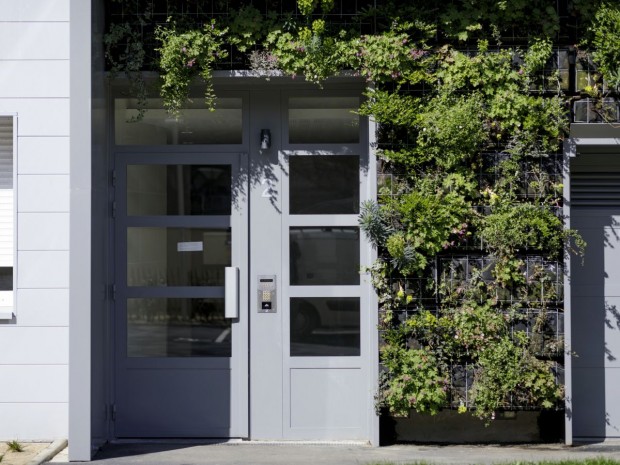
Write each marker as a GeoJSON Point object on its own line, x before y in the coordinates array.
{"type": "Point", "coordinates": [265, 226]}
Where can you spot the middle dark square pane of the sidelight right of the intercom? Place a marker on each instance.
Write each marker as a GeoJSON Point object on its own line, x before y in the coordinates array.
{"type": "Point", "coordinates": [325, 255]}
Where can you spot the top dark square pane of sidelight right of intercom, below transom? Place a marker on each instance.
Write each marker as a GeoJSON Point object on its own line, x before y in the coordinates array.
{"type": "Point", "coordinates": [324, 185]}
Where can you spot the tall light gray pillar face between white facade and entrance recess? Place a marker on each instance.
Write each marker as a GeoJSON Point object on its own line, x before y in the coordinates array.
{"type": "Point", "coordinates": [80, 232]}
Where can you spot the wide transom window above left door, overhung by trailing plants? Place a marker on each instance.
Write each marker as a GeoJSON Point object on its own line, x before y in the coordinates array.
{"type": "Point", "coordinates": [195, 125]}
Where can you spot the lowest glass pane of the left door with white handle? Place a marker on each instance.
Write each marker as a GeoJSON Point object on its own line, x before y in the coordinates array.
{"type": "Point", "coordinates": [177, 328]}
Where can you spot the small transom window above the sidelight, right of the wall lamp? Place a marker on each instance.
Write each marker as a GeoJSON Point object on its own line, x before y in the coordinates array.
{"type": "Point", "coordinates": [323, 120]}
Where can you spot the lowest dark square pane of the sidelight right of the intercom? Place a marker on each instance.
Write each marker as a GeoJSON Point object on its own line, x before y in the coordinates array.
{"type": "Point", "coordinates": [325, 326]}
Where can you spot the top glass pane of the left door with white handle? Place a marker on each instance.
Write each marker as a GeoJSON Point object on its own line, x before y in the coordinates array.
{"type": "Point", "coordinates": [179, 190]}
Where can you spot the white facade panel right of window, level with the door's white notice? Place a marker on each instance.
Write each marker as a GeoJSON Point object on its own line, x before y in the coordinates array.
{"type": "Point", "coordinates": [43, 231]}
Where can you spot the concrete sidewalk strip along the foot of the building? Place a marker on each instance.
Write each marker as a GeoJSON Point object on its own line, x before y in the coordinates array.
{"type": "Point", "coordinates": [253, 453]}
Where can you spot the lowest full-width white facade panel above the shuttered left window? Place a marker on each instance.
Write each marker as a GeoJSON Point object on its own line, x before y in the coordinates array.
{"type": "Point", "coordinates": [32, 79]}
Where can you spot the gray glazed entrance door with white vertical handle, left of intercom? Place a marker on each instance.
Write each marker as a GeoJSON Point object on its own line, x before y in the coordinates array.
{"type": "Point", "coordinates": [181, 323]}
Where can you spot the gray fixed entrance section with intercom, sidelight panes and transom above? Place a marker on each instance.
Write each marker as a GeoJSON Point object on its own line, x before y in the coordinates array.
{"type": "Point", "coordinates": [313, 344]}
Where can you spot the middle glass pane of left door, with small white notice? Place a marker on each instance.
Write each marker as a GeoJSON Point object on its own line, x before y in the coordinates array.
{"type": "Point", "coordinates": [177, 256]}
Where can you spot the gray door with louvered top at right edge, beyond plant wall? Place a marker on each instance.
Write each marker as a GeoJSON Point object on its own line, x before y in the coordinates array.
{"type": "Point", "coordinates": [595, 298]}
